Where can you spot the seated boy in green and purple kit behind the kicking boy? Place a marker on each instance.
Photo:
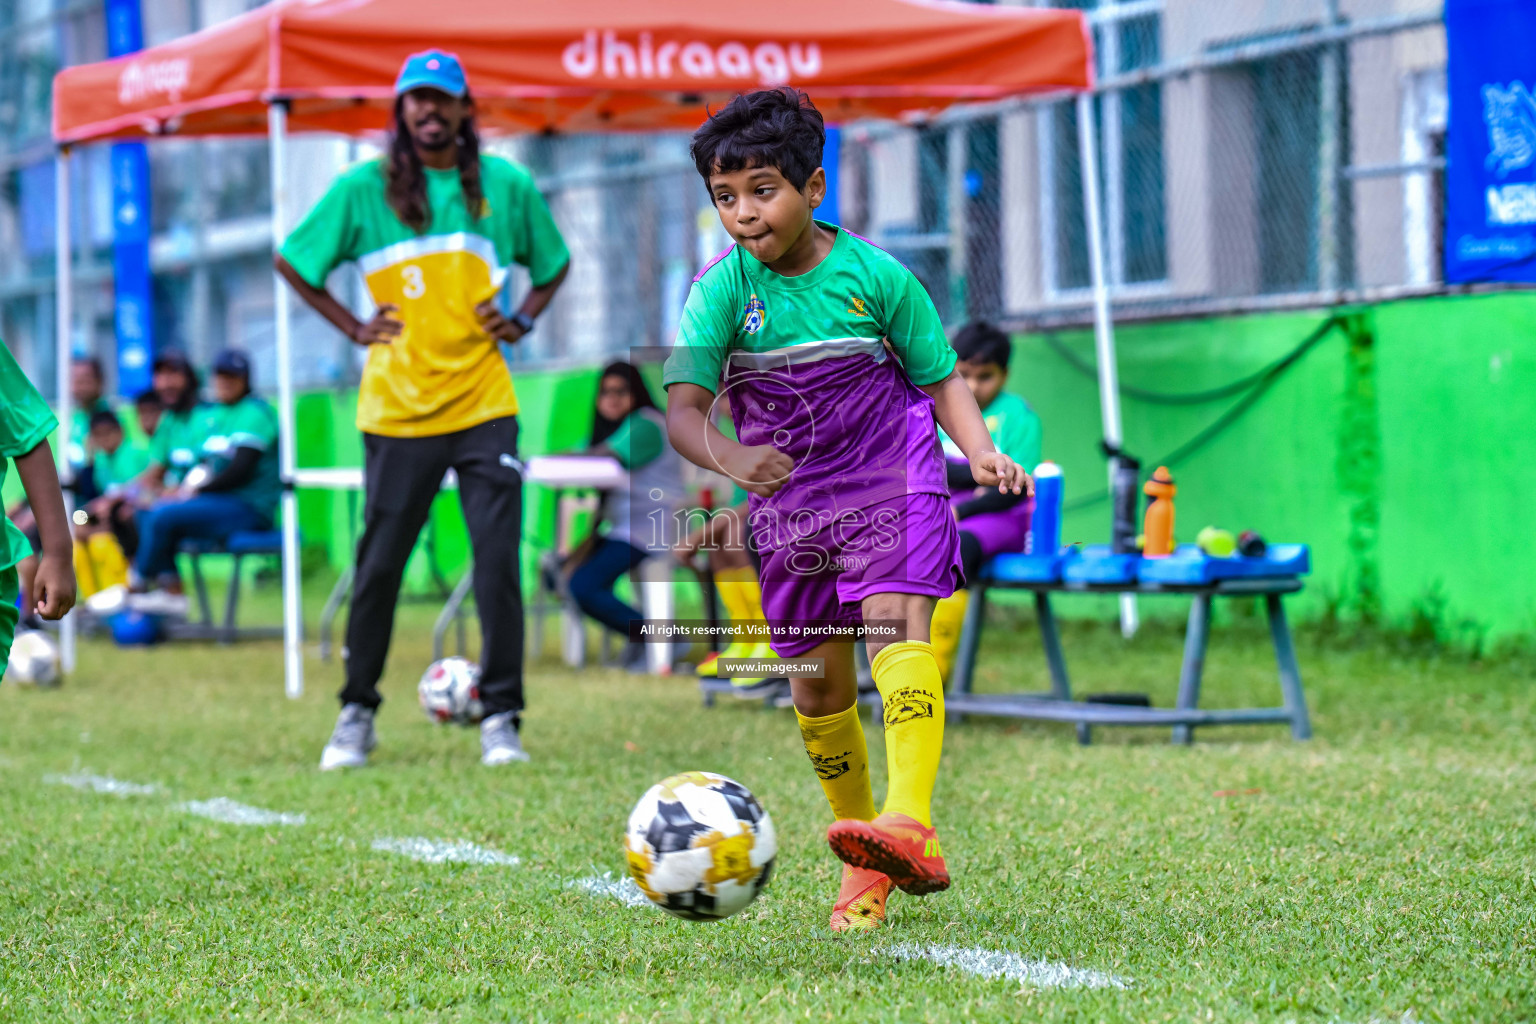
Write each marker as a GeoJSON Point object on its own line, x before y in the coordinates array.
{"type": "Point", "coordinates": [990, 523]}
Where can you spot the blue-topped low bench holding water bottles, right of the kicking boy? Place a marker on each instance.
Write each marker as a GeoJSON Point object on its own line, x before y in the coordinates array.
{"type": "Point", "coordinates": [1096, 569]}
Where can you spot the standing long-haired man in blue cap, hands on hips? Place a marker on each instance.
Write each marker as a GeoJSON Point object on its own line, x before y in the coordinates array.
{"type": "Point", "coordinates": [434, 226]}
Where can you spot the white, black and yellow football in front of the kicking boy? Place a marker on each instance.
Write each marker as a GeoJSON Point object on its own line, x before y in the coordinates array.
{"type": "Point", "coordinates": [701, 847]}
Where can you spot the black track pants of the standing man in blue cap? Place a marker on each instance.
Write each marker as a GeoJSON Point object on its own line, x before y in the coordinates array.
{"type": "Point", "coordinates": [403, 477]}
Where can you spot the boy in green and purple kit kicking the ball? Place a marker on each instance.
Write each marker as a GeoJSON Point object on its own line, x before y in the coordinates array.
{"type": "Point", "coordinates": [838, 368]}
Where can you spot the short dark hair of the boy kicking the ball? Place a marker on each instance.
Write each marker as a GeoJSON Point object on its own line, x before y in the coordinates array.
{"type": "Point", "coordinates": [773, 128]}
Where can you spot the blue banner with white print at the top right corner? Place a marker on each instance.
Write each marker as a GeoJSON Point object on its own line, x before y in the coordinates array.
{"type": "Point", "coordinates": [1491, 153]}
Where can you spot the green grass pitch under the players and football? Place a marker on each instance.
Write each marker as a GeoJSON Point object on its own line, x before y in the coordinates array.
{"type": "Point", "coordinates": [1380, 873]}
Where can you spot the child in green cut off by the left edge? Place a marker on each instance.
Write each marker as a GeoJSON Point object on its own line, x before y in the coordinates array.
{"type": "Point", "coordinates": [25, 424]}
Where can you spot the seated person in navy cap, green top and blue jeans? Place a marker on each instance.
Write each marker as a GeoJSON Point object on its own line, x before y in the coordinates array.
{"type": "Point", "coordinates": [234, 489]}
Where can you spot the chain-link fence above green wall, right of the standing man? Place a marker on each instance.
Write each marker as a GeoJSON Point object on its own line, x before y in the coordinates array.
{"type": "Point", "coordinates": [1253, 156]}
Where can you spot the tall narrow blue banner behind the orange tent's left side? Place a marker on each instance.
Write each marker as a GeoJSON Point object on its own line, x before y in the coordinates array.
{"type": "Point", "coordinates": [131, 279]}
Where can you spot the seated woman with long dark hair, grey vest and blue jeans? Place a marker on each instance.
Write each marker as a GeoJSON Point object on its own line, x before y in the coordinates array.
{"type": "Point", "coordinates": [629, 428]}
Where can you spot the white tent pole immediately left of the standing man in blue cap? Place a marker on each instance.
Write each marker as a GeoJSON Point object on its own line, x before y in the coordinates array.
{"type": "Point", "coordinates": [293, 610]}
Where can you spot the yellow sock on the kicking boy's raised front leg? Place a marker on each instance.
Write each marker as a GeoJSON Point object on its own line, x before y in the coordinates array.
{"type": "Point", "coordinates": [907, 676]}
